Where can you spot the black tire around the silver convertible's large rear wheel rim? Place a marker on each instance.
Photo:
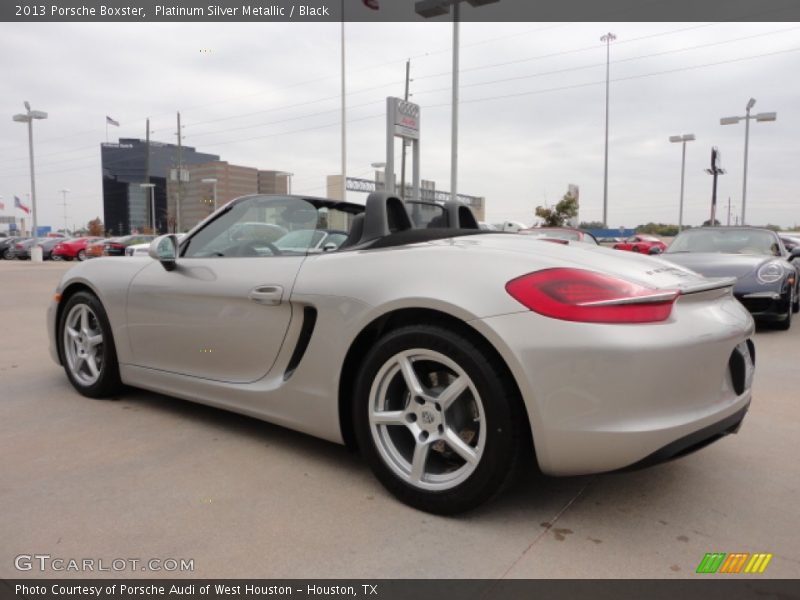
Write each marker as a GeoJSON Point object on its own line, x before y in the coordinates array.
{"type": "Point", "coordinates": [499, 433]}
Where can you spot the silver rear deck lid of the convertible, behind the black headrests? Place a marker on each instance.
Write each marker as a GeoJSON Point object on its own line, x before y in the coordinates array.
{"type": "Point", "coordinates": [645, 270]}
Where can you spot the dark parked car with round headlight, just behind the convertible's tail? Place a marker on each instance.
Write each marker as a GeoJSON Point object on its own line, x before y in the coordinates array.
{"type": "Point", "coordinates": [767, 276]}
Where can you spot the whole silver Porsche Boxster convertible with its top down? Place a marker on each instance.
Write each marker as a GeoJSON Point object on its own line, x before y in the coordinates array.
{"type": "Point", "coordinates": [443, 352]}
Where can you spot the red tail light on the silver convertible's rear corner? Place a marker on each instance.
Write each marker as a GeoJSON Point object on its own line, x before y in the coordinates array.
{"type": "Point", "coordinates": [586, 296]}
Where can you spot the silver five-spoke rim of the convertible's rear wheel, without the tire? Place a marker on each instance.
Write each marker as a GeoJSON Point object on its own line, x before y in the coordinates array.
{"type": "Point", "coordinates": [427, 419]}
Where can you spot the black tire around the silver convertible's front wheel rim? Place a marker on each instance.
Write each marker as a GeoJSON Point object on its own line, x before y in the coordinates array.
{"type": "Point", "coordinates": [107, 381]}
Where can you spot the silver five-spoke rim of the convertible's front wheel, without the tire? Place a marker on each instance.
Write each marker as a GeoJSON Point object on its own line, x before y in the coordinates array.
{"type": "Point", "coordinates": [83, 344]}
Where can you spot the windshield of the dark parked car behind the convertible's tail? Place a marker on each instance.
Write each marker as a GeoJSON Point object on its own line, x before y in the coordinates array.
{"type": "Point", "coordinates": [733, 241]}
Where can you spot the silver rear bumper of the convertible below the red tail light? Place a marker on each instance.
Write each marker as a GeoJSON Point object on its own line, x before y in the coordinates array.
{"type": "Point", "coordinates": [607, 397]}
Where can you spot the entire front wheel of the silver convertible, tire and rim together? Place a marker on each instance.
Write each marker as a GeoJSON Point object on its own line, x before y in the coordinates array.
{"type": "Point", "coordinates": [87, 347]}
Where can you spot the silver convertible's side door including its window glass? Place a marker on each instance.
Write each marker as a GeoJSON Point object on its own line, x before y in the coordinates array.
{"type": "Point", "coordinates": [223, 312]}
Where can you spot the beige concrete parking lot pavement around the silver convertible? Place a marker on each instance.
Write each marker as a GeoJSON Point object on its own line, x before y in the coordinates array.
{"type": "Point", "coordinates": [149, 476]}
